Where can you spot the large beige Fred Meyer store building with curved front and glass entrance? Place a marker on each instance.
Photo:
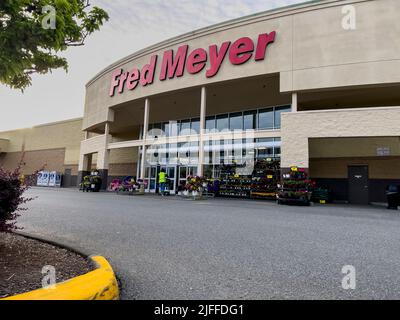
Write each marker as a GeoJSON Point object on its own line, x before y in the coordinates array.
{"type": "Point", "coordinates": [299, 84]}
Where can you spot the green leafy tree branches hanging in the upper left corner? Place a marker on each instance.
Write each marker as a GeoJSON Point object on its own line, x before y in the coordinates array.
{"type": "Point", "coordinates": [34, 32]}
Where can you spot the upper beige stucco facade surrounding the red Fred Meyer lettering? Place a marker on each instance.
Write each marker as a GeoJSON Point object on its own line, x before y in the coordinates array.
{"type": "Point", "coordinates": [311, 51]}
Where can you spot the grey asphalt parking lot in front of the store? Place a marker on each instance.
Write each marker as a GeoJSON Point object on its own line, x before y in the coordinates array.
{"type": "Point", "coordinates": [168, 248]}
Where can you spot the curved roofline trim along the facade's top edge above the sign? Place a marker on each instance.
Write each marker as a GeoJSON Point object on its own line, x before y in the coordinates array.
{"type": "Point", "coordinates": [264, 15]}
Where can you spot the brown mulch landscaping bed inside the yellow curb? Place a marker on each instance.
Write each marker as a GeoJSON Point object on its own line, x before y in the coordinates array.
{"type": "Point", "coordinates": [22, 261]}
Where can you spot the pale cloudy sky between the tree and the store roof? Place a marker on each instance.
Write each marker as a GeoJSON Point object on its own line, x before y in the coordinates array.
{"type": "Point", "coordinates": [133, 25]}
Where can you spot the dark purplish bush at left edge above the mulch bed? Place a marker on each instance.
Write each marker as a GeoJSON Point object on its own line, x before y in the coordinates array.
{"type": "Point", "coordinates": [11, 198]}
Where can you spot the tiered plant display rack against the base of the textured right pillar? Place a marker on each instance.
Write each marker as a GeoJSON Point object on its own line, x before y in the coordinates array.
{"type": "Point", "coordinates": [295, 188]}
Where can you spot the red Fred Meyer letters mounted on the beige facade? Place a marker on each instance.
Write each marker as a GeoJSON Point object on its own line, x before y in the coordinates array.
{"type": "Point", "coordinates": [194, 62]}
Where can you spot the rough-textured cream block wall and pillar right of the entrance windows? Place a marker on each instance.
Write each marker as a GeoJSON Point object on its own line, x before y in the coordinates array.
{"type": "Point", "coordinates": [298, 127]}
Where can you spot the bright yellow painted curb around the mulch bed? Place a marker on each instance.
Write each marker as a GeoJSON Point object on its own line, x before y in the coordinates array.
{"type": "Point", "coordinates": [99, 284]}
